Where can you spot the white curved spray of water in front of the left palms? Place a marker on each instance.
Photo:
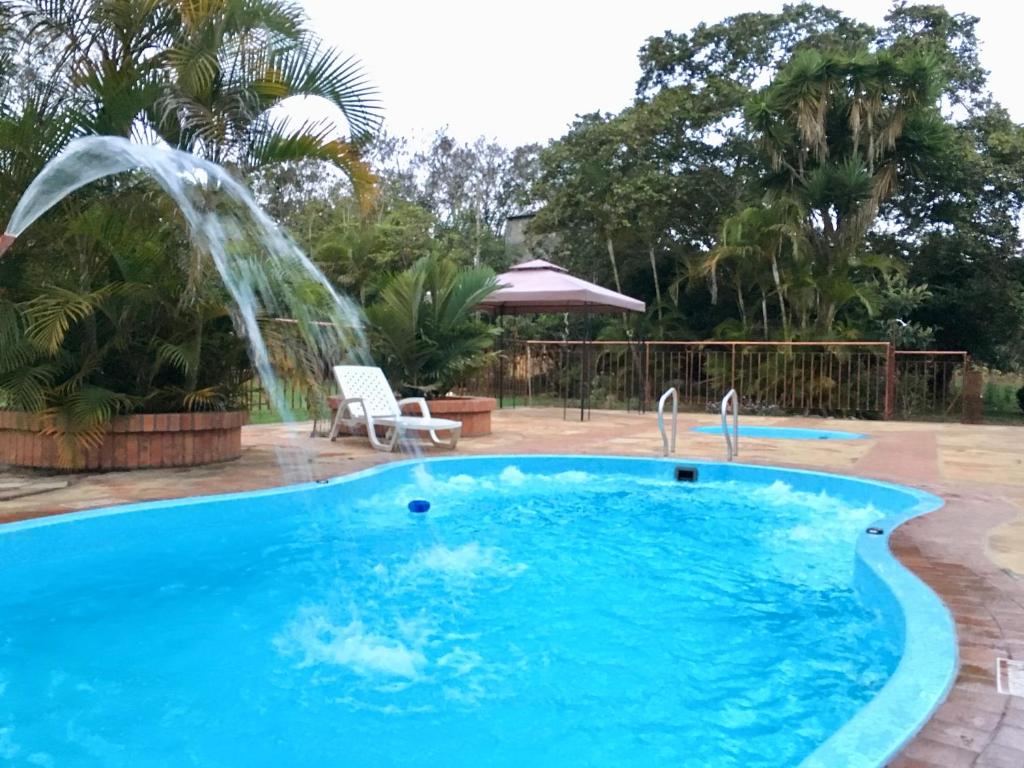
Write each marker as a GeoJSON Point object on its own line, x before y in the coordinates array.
{"type": "Point", "coordinates": [181, 176]}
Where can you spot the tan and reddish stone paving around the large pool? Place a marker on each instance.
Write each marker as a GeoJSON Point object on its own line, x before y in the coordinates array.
{"type": "Point", "coordinates": [971, 551]}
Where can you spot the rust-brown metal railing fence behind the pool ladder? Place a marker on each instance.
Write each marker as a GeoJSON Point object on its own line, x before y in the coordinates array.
{"type": "Point", "coordinates": [844, 379]}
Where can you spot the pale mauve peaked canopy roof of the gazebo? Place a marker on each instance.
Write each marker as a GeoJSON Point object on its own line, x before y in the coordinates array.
{"type": "Point", "coordinates": [538, 286]}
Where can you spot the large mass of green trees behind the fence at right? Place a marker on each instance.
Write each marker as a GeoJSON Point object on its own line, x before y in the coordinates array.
{"type": "Point", "coordinates": [785, 174]}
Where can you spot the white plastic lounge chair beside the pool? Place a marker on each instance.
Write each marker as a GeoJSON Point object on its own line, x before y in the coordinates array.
{"type": "Point", "coordinates": [369, 402]}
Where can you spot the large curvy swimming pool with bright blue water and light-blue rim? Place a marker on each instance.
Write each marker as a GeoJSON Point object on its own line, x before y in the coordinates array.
{"type": "Point", "coordinates": [546, 612]}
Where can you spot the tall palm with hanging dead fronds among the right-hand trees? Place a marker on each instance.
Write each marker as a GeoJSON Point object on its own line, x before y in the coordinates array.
{"type": "Point", "coordinates": [836, 130]}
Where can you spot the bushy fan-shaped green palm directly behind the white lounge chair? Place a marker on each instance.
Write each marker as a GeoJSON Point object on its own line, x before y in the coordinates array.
{"type": "Point", "coordinates": [425, 329]}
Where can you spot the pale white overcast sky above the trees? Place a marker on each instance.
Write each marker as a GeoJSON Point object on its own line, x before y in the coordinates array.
{"type": "Point", "coordinates": [520, 72]}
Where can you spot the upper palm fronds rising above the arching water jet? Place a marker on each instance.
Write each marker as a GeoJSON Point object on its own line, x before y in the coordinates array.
{"type": "Point", "coordinates": [205, 76]}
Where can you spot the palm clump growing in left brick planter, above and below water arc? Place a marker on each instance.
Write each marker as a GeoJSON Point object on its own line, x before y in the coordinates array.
{"type": "Point", "coordinates": [108, 306]}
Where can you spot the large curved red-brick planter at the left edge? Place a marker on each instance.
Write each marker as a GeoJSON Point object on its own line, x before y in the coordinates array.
{"type": "Point", "coordinates": [140, 442]}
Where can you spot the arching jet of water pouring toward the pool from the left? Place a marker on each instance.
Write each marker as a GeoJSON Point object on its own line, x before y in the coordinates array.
{"type": "Point", "coordinates": [264, 271]}
